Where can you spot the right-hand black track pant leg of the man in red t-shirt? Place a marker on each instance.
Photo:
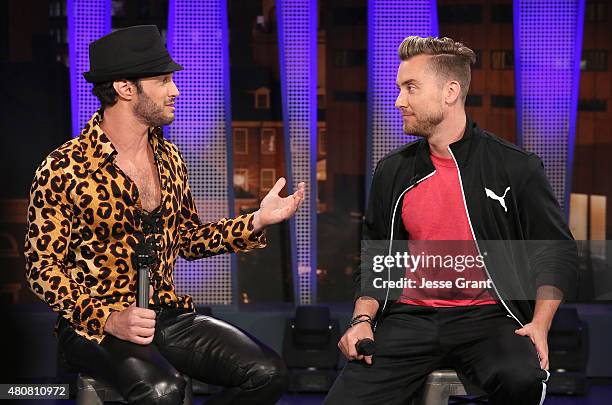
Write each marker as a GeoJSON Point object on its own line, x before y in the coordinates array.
{"type": "Point", "coordinates": [503, 363]}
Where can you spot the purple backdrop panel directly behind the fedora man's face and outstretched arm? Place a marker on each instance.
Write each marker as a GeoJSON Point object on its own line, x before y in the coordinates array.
{"type": "Point", "coordinates": [198, 40]}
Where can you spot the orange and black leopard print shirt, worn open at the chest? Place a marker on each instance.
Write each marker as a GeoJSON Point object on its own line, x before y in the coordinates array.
{"type": "Point", "coordinates": [85, 229]}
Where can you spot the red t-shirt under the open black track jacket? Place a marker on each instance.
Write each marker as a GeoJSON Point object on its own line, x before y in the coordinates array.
{"type": "Point", "coordinates": [434, 211]}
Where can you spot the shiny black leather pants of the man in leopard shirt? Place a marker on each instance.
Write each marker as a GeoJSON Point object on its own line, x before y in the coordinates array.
{"type": "Point", "coordinates": [199, 346]}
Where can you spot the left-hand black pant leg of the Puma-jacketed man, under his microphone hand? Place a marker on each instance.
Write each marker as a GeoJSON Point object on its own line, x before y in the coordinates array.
{"type": "Point", "coordinates": [407, 351]}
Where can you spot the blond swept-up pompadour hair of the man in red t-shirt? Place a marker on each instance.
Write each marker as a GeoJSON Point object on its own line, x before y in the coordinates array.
{"type": "Point", "coordinates": [449, 59]}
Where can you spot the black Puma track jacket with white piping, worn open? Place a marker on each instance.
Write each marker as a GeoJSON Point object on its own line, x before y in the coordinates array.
{"type": "Point", "coordinates": [532, 214]}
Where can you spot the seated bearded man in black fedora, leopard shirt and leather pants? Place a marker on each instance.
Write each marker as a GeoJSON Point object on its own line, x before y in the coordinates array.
{"type": "Point", "coordinates": [115, 200]}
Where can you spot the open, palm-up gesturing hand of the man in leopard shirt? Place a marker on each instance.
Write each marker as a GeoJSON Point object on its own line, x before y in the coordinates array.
{"type": "Point", "coordinates": [274, 208]}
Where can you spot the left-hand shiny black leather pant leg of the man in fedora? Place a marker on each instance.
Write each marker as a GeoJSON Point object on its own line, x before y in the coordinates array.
{"type": "Point", "coordinates": [140, 373]}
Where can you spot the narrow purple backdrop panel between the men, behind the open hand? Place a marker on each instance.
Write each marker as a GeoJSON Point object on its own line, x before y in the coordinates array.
{"type": "Point", "coordinates": [297, 39]}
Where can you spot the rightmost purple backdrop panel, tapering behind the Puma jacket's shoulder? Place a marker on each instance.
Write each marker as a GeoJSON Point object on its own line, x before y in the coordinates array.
{"type": "Point", "coordinates": [547, 47]}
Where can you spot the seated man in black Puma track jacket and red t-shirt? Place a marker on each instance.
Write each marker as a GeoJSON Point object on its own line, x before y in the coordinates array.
{"type": "Point", "coordinates": [462, 183]}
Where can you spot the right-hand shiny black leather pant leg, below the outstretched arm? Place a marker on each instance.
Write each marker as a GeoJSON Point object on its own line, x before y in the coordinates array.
{"type": "Point", "coordinates": [218, 353]}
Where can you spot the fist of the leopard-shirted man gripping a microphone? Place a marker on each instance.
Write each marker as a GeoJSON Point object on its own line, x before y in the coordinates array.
{"type": "Point", "coordinates": [136, 325]}
